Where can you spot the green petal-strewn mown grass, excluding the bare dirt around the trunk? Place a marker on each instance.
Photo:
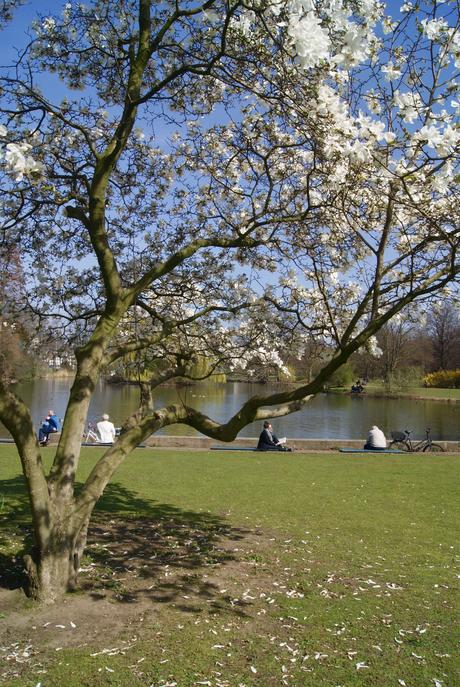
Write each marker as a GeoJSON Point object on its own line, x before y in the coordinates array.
{"type": "Point", "coordinates": [351, 580]}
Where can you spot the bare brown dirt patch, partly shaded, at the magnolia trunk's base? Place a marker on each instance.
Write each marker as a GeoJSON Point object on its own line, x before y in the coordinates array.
{"type": "Point", "coordinates": [136, 571]}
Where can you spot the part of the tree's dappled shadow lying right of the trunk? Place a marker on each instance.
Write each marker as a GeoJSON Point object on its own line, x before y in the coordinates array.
{"type": "Point", "coordinates": [166, 555]}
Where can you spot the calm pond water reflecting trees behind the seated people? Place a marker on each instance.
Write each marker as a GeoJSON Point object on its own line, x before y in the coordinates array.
{"type": "Point", "coordinates": [327, 416]}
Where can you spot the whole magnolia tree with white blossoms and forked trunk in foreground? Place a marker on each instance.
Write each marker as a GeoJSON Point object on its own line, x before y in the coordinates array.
{"type": "Point", "coordinates": [215, 181]}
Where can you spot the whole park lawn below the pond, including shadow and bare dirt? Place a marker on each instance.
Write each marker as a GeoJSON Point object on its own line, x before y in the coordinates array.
{"type": "Point", "coordinates": [239, 569]}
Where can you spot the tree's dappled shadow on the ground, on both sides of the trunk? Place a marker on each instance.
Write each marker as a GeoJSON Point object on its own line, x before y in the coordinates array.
{"type": "Point", "coordinates": [138, 549]}
